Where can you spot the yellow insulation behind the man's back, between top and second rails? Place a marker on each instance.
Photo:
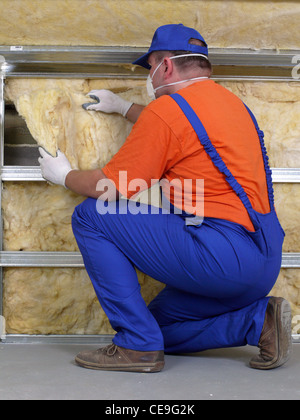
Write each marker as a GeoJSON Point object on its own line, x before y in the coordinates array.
{"type": "Point", "coordinates": [277, 109]}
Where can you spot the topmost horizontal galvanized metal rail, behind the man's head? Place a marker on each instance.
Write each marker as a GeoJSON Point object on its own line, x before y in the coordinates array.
{"type": "Point", "coordinates": [229, 64]}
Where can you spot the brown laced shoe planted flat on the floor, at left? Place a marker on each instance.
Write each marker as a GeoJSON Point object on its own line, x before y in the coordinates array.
{"type": "Point", "coordinates": [113, 357]}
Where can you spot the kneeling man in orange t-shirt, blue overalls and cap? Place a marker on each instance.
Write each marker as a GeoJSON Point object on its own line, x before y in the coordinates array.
{"type": "Point", "coordinates": [218, 258]}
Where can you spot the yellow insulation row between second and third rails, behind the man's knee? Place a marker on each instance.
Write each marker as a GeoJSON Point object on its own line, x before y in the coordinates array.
{"type": "Point", "coordinates": [37, 216]}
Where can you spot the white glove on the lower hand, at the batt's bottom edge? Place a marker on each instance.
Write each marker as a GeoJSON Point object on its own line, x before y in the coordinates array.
{"type": "Point", "coordinates": [54, 169]}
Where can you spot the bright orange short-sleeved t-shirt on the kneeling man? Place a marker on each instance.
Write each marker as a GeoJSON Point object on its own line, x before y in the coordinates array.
{"type": "Point", "coordinates": [163, 145]}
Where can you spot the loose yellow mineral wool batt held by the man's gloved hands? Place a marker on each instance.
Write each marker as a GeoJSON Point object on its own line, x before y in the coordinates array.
{"type": "Point", "coordinates": [56, 120]}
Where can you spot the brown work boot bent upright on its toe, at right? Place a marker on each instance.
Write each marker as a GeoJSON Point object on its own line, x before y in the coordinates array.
{"type": "Point", "coordinates": [275, 342]}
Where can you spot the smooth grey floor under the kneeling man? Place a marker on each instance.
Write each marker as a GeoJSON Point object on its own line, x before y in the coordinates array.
{"type": "Point", "coordinates": [47, 372]}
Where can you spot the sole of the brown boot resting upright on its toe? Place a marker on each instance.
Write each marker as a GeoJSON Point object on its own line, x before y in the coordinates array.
{"type": "Point", "coordinates": [283, 317]}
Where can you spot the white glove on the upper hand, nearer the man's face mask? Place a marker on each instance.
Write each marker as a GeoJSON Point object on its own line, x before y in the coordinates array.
{"type": "Point", "coordinates": [107, 102]}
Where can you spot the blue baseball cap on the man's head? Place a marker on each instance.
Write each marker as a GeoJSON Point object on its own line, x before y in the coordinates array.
{"type": "Point", "coordinates": [174, 37]}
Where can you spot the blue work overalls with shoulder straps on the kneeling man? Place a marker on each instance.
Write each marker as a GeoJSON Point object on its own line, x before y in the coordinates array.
{"type": "Point", "coordinates": [217, 275]}
